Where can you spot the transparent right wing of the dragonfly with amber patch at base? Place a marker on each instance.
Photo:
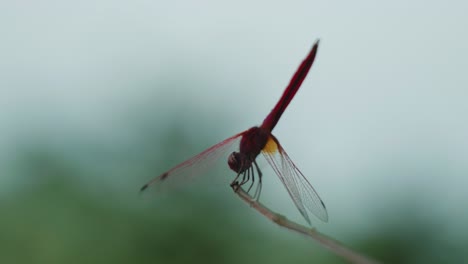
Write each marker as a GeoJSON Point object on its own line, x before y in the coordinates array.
{"type": "Point", "coordinates": [301, 191]}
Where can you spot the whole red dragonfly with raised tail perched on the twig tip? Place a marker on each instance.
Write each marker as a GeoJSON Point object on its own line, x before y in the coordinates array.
{"type": "Point", "coordinates": [258, 140]}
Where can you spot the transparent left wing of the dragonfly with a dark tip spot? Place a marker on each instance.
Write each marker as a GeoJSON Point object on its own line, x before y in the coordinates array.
{"type": "Point", "coordinates": [196, 164]}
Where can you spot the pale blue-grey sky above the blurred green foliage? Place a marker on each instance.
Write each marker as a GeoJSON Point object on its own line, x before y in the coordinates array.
{"type": "Point", "coordinates": [381, 119]}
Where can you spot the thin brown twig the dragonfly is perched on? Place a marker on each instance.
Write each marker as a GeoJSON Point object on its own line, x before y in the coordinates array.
{"type": "Point", "coordinates": [333, 245]}
